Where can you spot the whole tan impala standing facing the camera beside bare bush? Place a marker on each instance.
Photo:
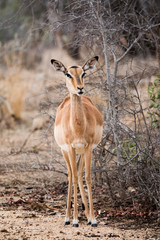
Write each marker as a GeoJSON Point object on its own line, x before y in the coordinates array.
{"type": "Point", "coordinates": [78, 129]}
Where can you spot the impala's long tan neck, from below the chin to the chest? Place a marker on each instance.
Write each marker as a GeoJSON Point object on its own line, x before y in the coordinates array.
{"type": "Point", "coordinates": [77, 115]}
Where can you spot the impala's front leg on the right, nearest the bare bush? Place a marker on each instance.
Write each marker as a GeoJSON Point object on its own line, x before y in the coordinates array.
{"type": "Point", "coordinates": [88, 161]}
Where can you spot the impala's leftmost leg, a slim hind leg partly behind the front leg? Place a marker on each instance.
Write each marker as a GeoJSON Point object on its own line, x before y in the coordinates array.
{"type": "Point", "coordinates": [68, 211]}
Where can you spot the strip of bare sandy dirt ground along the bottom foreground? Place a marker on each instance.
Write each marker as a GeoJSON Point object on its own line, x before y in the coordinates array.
{"type": "Point", "coordinates": [30, 225]}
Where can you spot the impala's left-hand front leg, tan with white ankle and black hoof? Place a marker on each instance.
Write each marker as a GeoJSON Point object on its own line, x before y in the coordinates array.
{"type": "Point", "coordinates": [72, 158]}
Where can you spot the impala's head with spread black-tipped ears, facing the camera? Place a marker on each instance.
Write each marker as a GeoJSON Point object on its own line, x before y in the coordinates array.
{"type": "Point", "coordinates": [75, 74]}
